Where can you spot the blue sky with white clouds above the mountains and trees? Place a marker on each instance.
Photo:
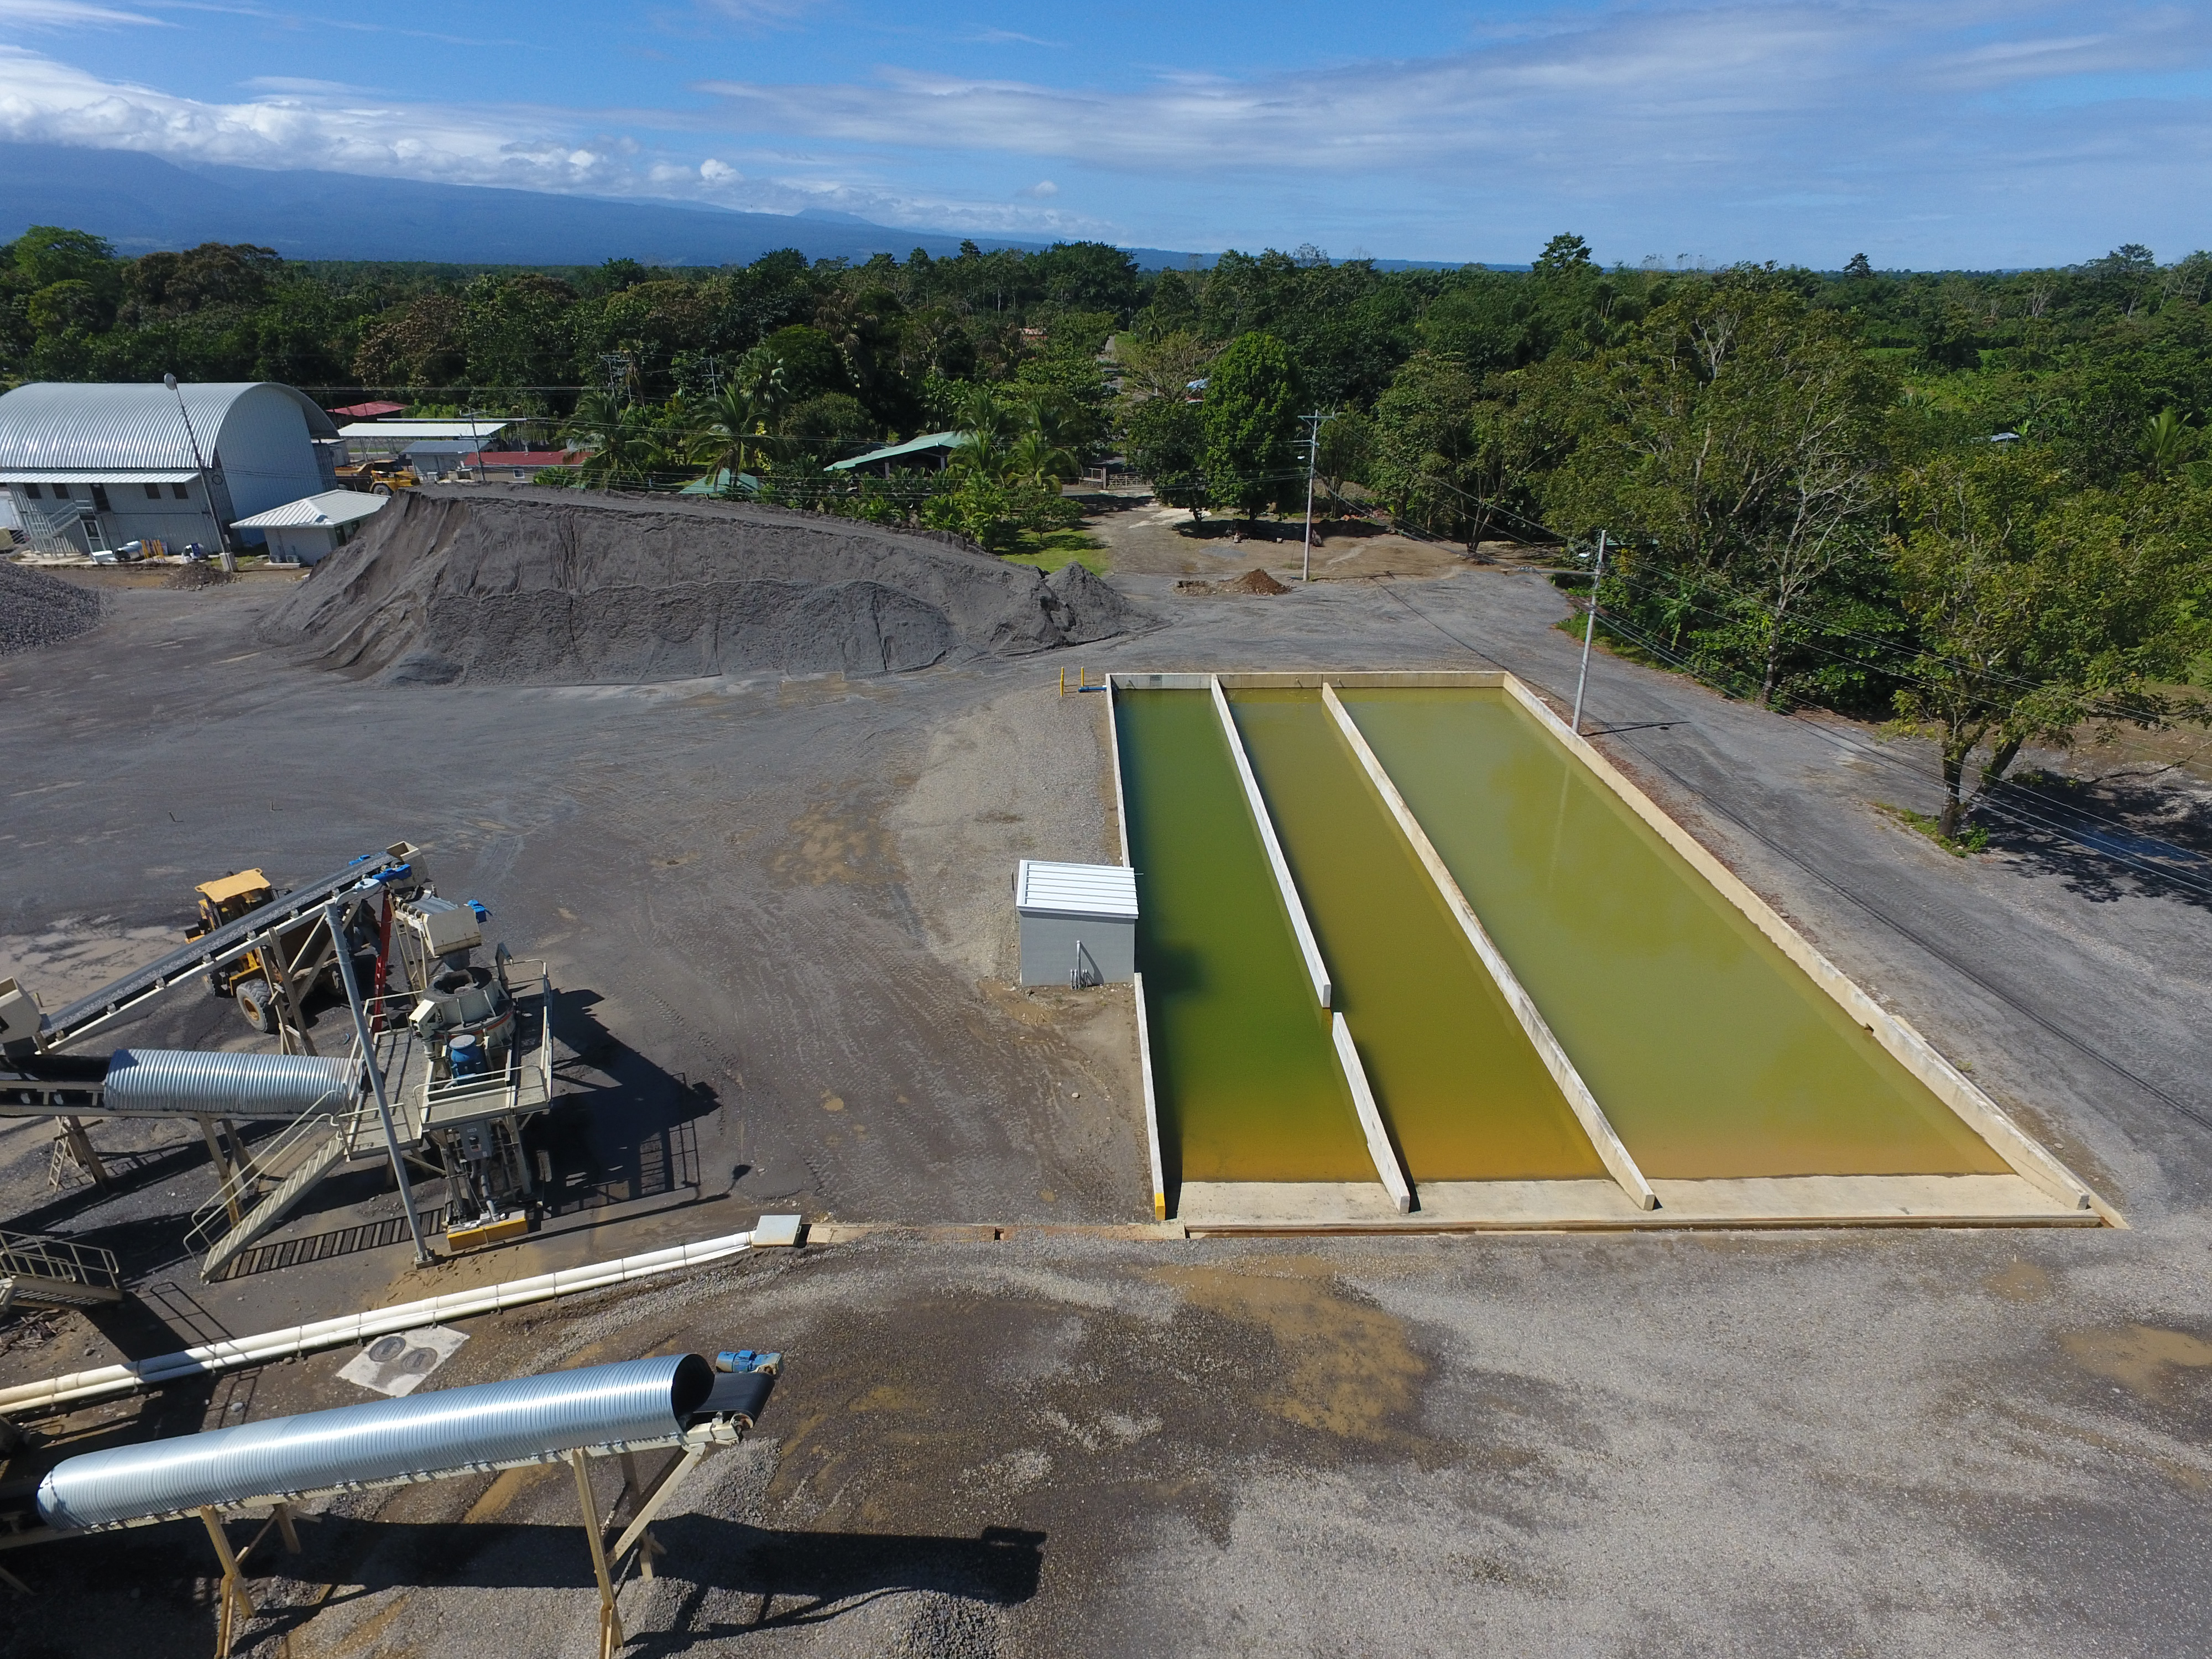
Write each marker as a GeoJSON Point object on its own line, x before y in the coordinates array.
{"type": "Point", "coordinates": [1934, 134]}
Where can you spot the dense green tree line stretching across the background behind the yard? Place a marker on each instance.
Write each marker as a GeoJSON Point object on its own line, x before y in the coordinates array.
{"type": "Point", "coordinates": [1976, 503]}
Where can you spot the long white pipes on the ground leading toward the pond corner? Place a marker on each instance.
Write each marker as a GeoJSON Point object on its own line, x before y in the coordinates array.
{"type": "Point", "coordinates": [269, 1348]}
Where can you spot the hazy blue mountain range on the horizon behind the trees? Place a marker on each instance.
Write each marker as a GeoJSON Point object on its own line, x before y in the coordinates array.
{"type": "Point", "coordinates": [143, 202]}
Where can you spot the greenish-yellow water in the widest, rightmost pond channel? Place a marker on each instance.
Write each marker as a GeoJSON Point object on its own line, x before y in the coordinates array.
{"type": "Point", "coordinates": [1713, 1054]}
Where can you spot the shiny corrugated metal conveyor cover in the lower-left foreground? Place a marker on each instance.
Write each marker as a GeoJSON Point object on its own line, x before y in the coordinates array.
{"type": "Point", "coordinates": [362, 1446]}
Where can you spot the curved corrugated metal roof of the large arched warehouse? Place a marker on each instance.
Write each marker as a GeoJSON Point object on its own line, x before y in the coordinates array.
{"type": "Point", "coordinates": [123, 430]}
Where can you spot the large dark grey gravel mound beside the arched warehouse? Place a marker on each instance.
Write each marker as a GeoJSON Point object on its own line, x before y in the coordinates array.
{"type": "Point", "coordinates": [563, 587]}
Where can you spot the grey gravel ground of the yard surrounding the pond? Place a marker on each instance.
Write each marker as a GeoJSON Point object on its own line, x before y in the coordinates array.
{"type": "Point", "coordinates": [1063, 1443]}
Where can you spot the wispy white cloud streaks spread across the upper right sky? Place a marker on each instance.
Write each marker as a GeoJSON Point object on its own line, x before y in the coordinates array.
{"type": "Point", "coordinates": [1627, 92]}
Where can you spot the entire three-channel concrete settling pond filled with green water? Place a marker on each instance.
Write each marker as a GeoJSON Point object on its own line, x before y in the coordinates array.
{"type": "Point", "coordinates": [1550, 1005]}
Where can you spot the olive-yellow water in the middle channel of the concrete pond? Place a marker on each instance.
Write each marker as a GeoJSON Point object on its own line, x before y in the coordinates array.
{"type": "Point", "coordinates": [1457, 1078]}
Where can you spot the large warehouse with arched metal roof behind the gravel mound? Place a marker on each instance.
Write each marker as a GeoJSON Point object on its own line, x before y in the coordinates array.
{"type": "Point", "coordinates": [94, 468]}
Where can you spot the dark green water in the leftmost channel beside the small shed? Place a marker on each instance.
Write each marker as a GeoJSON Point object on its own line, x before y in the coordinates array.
{"type": "Point", "coordinates": [1244, 1070]}
